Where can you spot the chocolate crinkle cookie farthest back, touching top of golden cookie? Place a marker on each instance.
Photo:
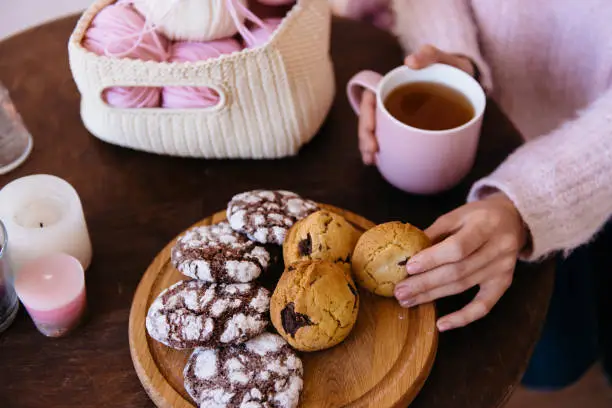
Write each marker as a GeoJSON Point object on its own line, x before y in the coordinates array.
{"type": "Point", "coordinates": [266, 216]}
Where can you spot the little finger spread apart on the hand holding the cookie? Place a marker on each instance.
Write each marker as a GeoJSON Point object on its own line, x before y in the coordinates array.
{"type": "Point", "coordinates": [490, 293]}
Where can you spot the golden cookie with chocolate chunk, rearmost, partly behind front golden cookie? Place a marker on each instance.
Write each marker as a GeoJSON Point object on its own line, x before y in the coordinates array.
{"type": "Point", "coordinates": [322, 235]}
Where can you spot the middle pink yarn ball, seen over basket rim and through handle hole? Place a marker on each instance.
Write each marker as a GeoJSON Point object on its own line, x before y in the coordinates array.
{"type": "Point", "coordinates": [189, 96]}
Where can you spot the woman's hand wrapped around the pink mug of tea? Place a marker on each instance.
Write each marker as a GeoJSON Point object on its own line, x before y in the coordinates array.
{"type": "Point", "coordinates": [425, 56]}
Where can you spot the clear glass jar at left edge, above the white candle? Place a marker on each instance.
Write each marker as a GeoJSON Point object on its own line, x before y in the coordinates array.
{"type": "Point", "coordinates": [15, 140]}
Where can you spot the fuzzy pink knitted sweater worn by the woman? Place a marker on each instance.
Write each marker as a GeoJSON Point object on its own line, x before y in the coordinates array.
{"type": "Point", "coordinates": [549, 65]}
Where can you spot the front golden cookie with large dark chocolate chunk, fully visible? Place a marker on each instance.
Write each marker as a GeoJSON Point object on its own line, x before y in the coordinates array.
{"type": "Point", "coordinates": [315, 305]}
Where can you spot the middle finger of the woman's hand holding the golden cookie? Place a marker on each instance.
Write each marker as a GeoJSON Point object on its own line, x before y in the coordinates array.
{"type": "Point", "coordinates": [446, 274]}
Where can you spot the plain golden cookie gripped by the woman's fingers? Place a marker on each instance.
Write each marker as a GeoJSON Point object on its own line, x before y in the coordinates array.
{"type": "Point", "coordinates": [380, 256]}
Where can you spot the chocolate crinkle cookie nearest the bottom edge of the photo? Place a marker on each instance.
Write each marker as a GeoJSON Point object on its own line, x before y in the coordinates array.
{"type": "Point", "coordinates": [261, 373]}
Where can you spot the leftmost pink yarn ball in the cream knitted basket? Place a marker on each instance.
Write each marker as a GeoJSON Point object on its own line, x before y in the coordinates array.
{"type": "Point", "coordinates": [119, 30]}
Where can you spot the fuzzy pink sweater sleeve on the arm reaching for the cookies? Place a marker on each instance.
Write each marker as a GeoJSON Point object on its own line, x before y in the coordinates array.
{"type": "Point", "coordinates": [561, 183]}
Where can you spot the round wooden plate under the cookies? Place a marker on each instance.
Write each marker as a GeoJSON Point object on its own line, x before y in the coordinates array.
{"type": "Point", "coordinates": [383, 363]}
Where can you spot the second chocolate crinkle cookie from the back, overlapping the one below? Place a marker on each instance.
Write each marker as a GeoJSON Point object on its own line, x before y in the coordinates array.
{"type": "Point", "coordinates": [217, 253]}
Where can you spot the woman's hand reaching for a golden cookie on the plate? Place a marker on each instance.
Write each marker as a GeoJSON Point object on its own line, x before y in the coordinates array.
{"type": "Point", "coordinates": [477, 244]}
